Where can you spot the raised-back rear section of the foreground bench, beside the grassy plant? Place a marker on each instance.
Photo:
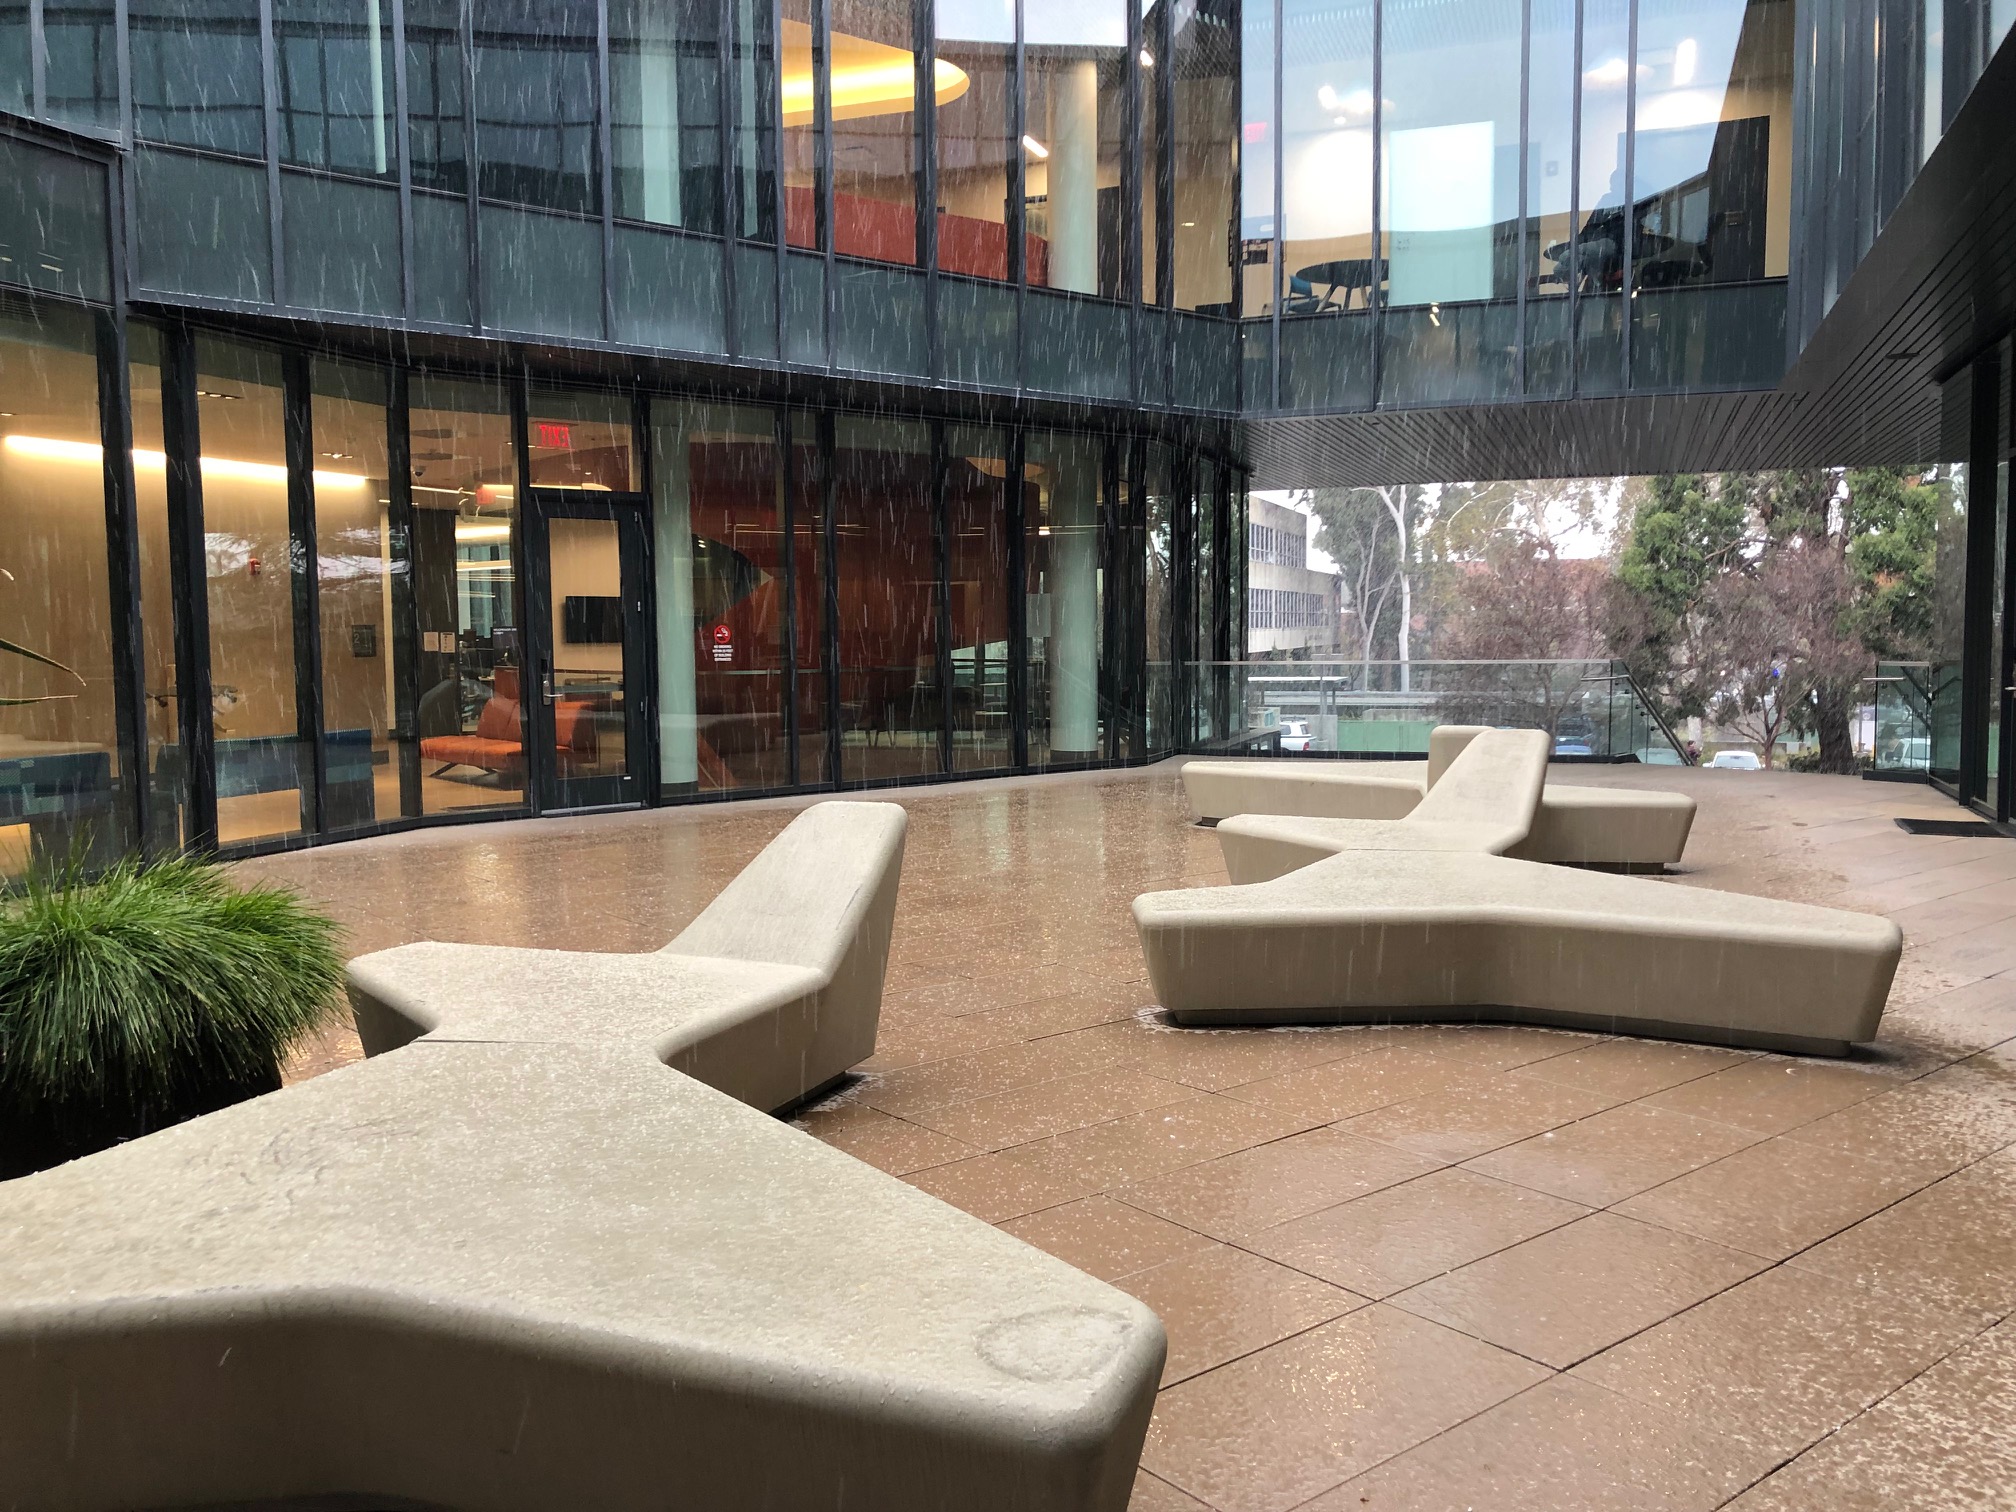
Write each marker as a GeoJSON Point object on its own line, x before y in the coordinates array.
{"type": "Point", "coordinates": [771, 995]}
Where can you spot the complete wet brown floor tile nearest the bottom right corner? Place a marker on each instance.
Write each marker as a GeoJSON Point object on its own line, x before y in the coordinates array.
{"type": "Point", "coordinates": [1781, 1360]}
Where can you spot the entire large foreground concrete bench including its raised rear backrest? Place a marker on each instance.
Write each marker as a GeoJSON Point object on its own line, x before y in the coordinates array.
{"type": "Point", "coordinates": [519, 1265]}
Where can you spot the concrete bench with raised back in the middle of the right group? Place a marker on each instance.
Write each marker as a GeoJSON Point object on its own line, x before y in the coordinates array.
{"type": "Point", "coordinates": [1483, 803]}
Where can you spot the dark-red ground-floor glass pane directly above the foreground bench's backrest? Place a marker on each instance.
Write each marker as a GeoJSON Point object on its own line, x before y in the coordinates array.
{"type": "Point", "coordinates": [886, 570]}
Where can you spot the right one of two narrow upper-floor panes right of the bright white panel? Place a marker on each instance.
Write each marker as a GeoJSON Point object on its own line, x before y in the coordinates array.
{"type": "Point", "coordinates": [1600, 219]}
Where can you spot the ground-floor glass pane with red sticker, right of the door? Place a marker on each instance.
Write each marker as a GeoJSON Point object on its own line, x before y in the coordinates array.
{"type": "Point", "coordinates": [723, 588]}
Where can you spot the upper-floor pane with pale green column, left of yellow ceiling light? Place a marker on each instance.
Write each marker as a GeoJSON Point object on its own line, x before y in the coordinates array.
{"type": "Point", "coordinates": [666, 112]}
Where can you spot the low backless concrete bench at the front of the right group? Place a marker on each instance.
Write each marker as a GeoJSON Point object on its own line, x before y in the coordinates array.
{"type": "Point", "coordinates": [1410, 936]}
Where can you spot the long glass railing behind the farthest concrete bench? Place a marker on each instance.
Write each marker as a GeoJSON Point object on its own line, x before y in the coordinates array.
{"type": "Point", "coordinates": [1592, 711]}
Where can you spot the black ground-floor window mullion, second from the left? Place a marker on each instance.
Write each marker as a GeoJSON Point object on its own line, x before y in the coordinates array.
{"type": "Point", "coordinates": [191, 590]}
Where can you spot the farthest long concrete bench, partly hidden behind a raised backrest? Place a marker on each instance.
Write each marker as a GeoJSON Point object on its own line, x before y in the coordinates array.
{"type": "Point", "coordinates": [1576, 826]}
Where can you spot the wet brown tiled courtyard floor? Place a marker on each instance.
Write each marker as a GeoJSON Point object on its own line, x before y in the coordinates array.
{"type": "Point", "coordinates": [1410, 1267]}
